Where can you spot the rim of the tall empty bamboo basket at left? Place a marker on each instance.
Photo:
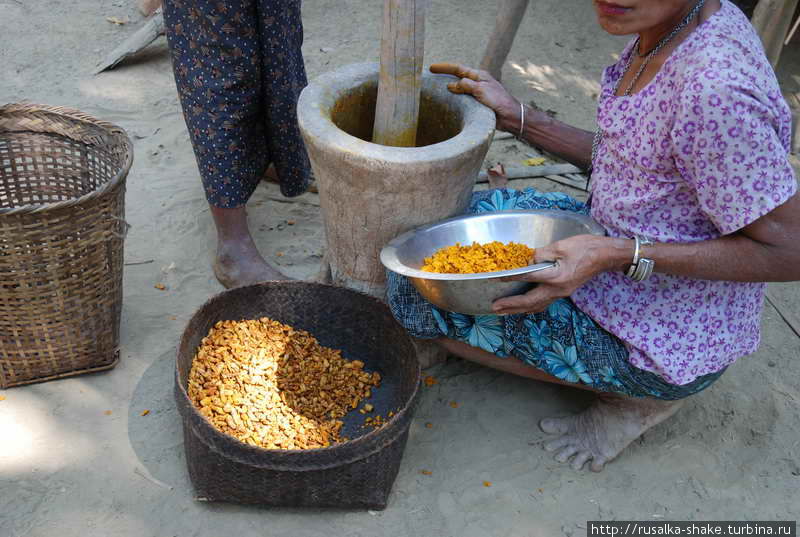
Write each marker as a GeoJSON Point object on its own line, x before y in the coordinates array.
{"type": "Point", "coordinates": [23, 109]}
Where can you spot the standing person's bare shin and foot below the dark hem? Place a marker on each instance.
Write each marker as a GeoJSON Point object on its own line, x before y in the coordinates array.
{"type": "Point", "coordinates": [238, 262]}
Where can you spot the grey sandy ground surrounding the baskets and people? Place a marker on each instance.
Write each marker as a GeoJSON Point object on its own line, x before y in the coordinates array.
{"type": "Point", "coordinates": [69, 469]}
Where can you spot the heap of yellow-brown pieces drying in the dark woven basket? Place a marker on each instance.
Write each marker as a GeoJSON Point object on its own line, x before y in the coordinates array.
{"type": "Point", "coordinates": [275, 387]}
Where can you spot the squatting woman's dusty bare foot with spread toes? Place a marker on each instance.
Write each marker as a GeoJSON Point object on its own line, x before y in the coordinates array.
{"type": "Point", "coordinates": [601, 432]}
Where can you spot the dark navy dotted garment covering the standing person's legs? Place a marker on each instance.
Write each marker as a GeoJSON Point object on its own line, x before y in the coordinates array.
{"type": "Point", "coordinates": [239, 72]}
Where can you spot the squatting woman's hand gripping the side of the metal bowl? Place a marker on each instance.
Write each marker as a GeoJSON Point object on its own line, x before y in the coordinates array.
{"type": "Point", "coordinates": [578, 260]}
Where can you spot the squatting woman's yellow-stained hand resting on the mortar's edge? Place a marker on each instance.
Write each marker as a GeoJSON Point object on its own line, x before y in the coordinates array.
{"type": "Point", "coordinates": [486, 90]}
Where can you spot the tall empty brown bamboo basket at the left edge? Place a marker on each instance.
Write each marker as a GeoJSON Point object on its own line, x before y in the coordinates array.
{"type": "Point", "coordinates": [62, 209]}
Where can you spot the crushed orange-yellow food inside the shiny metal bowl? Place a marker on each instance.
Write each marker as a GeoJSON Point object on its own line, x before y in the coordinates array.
{"type": "Point", "coordinates": [492, 257]}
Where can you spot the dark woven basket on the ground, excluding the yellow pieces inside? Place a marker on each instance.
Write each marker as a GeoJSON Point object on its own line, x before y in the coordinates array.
{"type": "Point", "coordinates": [356, 474]}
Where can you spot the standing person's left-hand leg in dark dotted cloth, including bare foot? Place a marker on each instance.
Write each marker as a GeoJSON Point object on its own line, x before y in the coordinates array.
{"type": "Point", "coordinates": [216, 54]}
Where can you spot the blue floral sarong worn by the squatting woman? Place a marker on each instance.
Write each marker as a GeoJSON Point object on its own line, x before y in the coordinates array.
{"type": "Point", "coordinates": [562, 341]}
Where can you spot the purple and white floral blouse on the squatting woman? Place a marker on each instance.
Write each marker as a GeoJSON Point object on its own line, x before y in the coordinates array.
{"type": "Point", "coordinates": [700, 152]}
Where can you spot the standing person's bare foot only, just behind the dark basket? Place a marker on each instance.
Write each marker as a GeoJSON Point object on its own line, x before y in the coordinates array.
{"type": "Point", "coordinates": [239, 264]}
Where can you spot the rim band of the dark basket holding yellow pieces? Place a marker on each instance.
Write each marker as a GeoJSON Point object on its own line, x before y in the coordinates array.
{"type": "Point", "coordinates": [371, 442]}
